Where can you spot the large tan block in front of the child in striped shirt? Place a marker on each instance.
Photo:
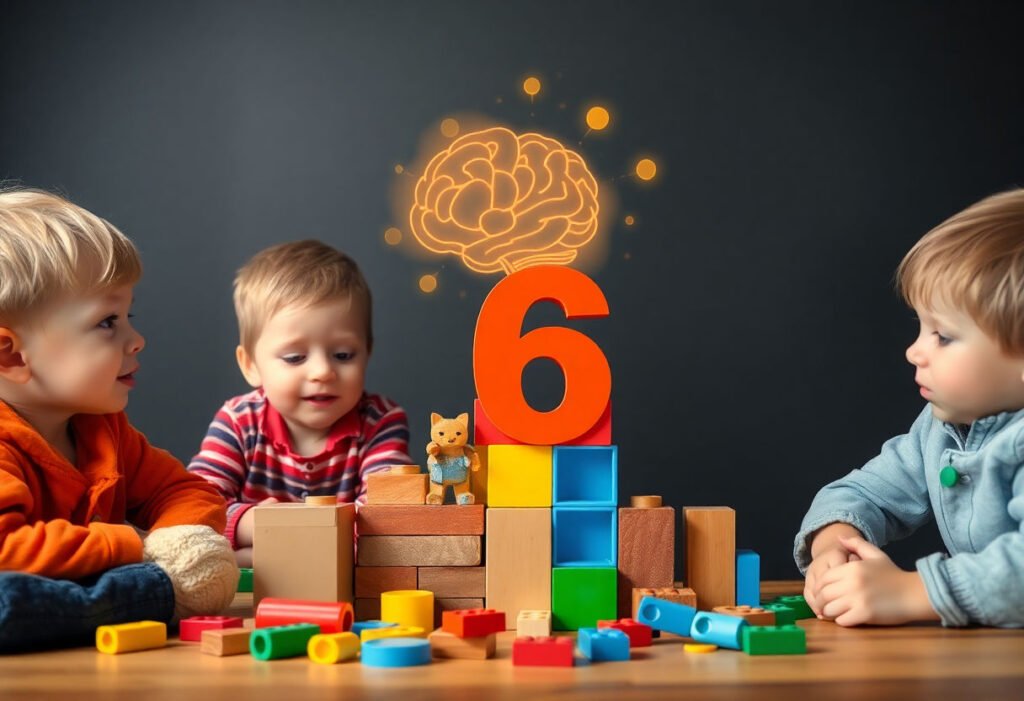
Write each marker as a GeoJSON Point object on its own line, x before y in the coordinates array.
{"type": "Point", "coordinates": [304, 552]}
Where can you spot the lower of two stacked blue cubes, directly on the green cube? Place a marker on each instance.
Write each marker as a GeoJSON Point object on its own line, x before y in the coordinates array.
{"type": "Point", "coordinates": [585, 537]}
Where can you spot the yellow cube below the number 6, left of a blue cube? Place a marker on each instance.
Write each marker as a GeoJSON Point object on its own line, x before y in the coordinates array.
{"type": "Point", "coordinates": [519, 475]}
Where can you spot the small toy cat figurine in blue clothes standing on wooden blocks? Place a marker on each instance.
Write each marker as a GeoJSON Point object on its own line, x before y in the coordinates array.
{"type": "Point", "coordinates": [450, 459]}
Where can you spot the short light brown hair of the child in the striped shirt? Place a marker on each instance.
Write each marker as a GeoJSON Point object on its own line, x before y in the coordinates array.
{"type": "Point", "coordinates": [306, 273]}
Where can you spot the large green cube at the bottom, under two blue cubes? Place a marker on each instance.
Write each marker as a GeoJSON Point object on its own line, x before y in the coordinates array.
{"type": "Point", "coordinates": [582, 596]}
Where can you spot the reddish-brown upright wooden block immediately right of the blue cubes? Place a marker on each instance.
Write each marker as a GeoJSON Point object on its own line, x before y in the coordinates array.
{"type": "Point", "coordinates": [647, 552]}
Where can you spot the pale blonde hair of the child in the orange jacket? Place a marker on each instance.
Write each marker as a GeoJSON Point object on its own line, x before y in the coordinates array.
{"type": "Point", "coordinates": [51, 247]}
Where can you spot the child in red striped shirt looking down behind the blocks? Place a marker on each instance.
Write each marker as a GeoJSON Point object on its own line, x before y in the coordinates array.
{"type": "Point", "coordinates": [308, 428]}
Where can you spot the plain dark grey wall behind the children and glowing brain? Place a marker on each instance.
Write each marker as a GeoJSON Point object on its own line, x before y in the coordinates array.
{"type": "Point", "coordinates": [755, 340]}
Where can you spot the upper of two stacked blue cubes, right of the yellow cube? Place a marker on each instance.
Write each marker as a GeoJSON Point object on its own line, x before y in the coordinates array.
{"type": "Point", "coordinates": [585, 476]}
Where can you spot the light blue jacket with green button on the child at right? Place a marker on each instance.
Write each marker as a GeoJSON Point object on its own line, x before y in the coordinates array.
{"type": "Point", "coordinates": [982, 581]}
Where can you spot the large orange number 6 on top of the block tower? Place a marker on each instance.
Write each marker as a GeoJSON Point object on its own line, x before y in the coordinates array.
{"type": "Point", "coordinates": [500, 356]}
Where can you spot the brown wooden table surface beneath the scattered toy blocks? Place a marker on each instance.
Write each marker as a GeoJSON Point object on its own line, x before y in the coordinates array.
{"type": "Point", "coordinates": [907, 663]}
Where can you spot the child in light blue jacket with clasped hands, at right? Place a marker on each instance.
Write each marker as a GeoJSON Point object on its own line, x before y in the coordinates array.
{"type": "Point", "coordinates": [961, 463]}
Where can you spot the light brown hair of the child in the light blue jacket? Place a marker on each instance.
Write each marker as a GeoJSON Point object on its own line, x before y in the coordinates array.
{"type": "Point", "coordinates": [974, 261]}
